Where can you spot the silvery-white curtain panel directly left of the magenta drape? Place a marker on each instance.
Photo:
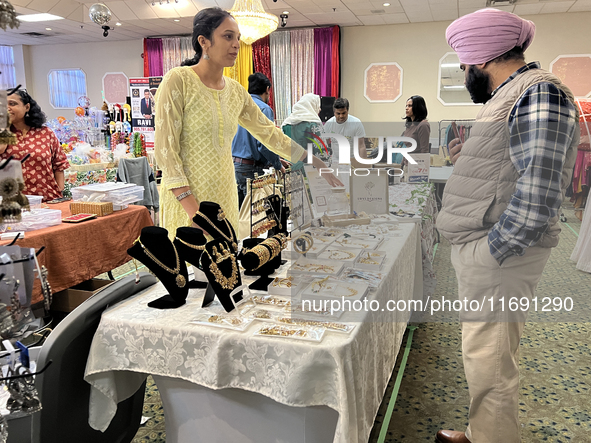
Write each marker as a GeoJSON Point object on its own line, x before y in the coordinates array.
{"type": "Point", "coordinates": [302, 63]}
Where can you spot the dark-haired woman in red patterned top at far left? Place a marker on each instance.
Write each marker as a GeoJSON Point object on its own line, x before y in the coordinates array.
{"type": "Point", "coordinates": [43, 171]}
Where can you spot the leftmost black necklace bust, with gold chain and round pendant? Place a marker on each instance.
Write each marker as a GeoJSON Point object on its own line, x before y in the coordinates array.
{"type": "Point", "coordinates": [154, 243]}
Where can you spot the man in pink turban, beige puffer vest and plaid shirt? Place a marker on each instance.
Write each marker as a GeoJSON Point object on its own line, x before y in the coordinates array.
{"type": "Point", "coordinates": [500, 207]}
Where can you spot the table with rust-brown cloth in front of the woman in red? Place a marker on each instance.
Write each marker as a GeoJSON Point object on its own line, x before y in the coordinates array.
{"type": "Point", "coordinates": [75, 252]}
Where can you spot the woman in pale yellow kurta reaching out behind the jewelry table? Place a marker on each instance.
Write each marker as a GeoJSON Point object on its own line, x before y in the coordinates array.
{"type": "Point", "coordinates": [198, 111]}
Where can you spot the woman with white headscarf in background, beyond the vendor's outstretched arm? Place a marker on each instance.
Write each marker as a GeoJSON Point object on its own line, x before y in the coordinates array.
{"type": "Point", "coordinates": [304, 121]}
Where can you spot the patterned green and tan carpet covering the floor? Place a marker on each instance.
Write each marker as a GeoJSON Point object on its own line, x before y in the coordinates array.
{"type": "Point", "coordinates": [555, 368]}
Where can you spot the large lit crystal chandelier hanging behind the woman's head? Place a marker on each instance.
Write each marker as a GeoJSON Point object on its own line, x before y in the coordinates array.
{"type": "Point", "coordinates": [253, 21]}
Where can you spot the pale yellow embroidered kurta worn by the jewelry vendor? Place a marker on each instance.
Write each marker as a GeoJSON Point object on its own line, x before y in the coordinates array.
{"type": "Point", "coordinates": [195, 126]}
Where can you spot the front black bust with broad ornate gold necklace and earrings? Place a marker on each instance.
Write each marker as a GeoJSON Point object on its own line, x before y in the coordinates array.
{"type": "Point", "coordinates": [220, 266]}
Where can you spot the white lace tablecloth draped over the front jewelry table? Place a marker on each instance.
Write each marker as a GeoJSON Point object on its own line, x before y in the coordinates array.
{"type": "Point", "coordinates": [347, 373]}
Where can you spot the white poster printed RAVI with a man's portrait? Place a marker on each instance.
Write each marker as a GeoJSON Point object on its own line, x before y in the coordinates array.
{"type": "Point", "coordinates": [143, 90]}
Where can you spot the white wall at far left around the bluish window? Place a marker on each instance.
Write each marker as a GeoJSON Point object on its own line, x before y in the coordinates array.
{"type": "Point", "coordinates": [95, 59]}
